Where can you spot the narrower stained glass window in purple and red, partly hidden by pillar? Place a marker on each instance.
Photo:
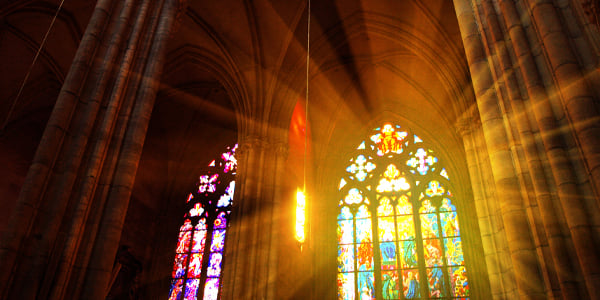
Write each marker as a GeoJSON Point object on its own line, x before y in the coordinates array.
{"type": "Point", "coordinates": [199, 253]}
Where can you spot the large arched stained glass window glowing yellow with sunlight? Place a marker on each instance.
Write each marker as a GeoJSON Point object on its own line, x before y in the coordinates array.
{"type": "Point", "coordinates": [397, 228]}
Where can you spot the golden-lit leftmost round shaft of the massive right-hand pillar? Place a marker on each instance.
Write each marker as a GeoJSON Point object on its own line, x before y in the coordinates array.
{"type": "Point", "coordinates": [519, 237]}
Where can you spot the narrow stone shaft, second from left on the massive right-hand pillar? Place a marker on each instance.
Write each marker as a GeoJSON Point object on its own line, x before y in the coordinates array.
{"type": "Point", "coordinates": [543, 194]}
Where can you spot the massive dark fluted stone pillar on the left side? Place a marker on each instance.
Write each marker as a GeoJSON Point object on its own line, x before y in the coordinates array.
{"type": "Point", "coordinates": [64, 233]}
